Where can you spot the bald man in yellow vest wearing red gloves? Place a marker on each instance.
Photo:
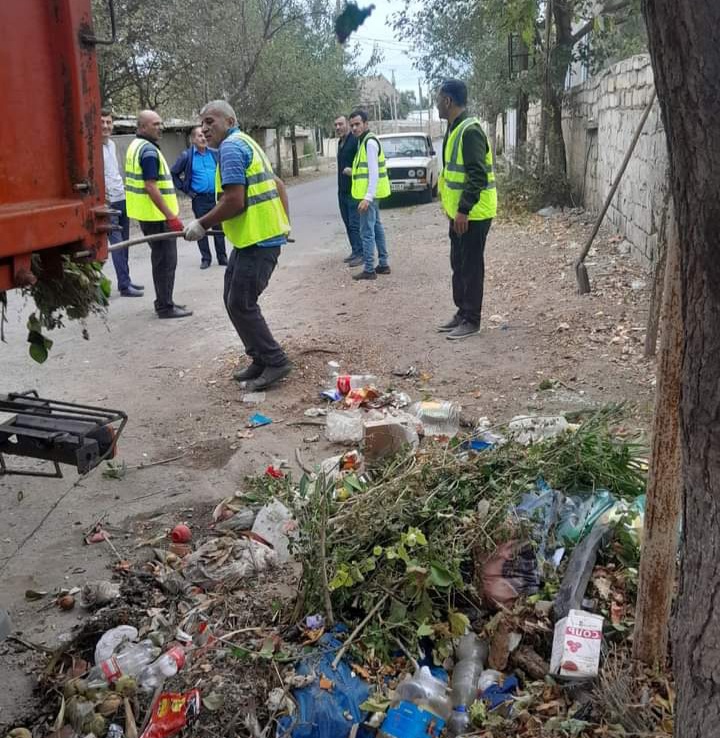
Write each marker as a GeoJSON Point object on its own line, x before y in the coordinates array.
{"type": "Point", "coordinates": [151, 200]}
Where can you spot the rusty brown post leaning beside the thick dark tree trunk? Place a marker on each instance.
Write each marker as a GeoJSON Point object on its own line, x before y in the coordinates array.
{"type": "Point", "coordinates": [664, 494]}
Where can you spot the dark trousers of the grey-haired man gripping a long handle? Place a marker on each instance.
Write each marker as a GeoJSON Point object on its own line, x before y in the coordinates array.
{"type": "Point", "coordinates": [247, 275]}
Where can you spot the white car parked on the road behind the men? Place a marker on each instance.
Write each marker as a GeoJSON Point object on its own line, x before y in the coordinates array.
{"type": "Point", "coordinates": [411, 164]}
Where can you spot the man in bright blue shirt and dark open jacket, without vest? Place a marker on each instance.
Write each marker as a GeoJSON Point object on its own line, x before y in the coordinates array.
{"type": "Point", "coordinates": [194, 174]}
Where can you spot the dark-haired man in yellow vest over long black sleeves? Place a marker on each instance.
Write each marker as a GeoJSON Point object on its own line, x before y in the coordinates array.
{"type": "Point", "coordinates": [469, 199]}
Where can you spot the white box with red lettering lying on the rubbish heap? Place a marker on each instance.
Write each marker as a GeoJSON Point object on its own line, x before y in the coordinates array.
{"type": "Point", "coordinates": [576, 645]}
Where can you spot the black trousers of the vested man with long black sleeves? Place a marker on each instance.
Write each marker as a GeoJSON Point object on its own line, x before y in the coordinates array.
{"type": "Point", "coordinates": [467, 259]}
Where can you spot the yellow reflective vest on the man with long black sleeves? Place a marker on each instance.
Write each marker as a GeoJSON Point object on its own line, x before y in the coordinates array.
{"type": "Point", "coordinates": [453, 177]}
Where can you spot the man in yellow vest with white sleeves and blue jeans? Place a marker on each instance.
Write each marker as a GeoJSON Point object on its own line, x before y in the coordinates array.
{"type": "Point", "coordinates": [370, 184]}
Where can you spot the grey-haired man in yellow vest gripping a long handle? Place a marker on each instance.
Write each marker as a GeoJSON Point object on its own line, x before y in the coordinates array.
{"type": "Point", "coordinates": [253, 209]}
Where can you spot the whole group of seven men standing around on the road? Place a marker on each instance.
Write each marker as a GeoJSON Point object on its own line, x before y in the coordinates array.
{"type": "Point", "coordinates": [232, 185]}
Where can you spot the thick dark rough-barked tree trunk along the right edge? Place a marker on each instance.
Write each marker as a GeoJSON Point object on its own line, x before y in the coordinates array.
{"type": "Point", "coordinates": [686, 62]}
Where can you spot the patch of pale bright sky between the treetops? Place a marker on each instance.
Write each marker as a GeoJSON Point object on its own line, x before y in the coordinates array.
{"type": "Point", "coordinates": [396, 53]}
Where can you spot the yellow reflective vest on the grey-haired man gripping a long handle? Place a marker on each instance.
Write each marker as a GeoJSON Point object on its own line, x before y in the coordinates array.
{"type": "Point", "coordinates": [264, 216]}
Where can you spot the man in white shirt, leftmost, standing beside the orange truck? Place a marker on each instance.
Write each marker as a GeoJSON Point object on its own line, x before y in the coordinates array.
{"type": "Point", "coordinates": [115, 198]}
